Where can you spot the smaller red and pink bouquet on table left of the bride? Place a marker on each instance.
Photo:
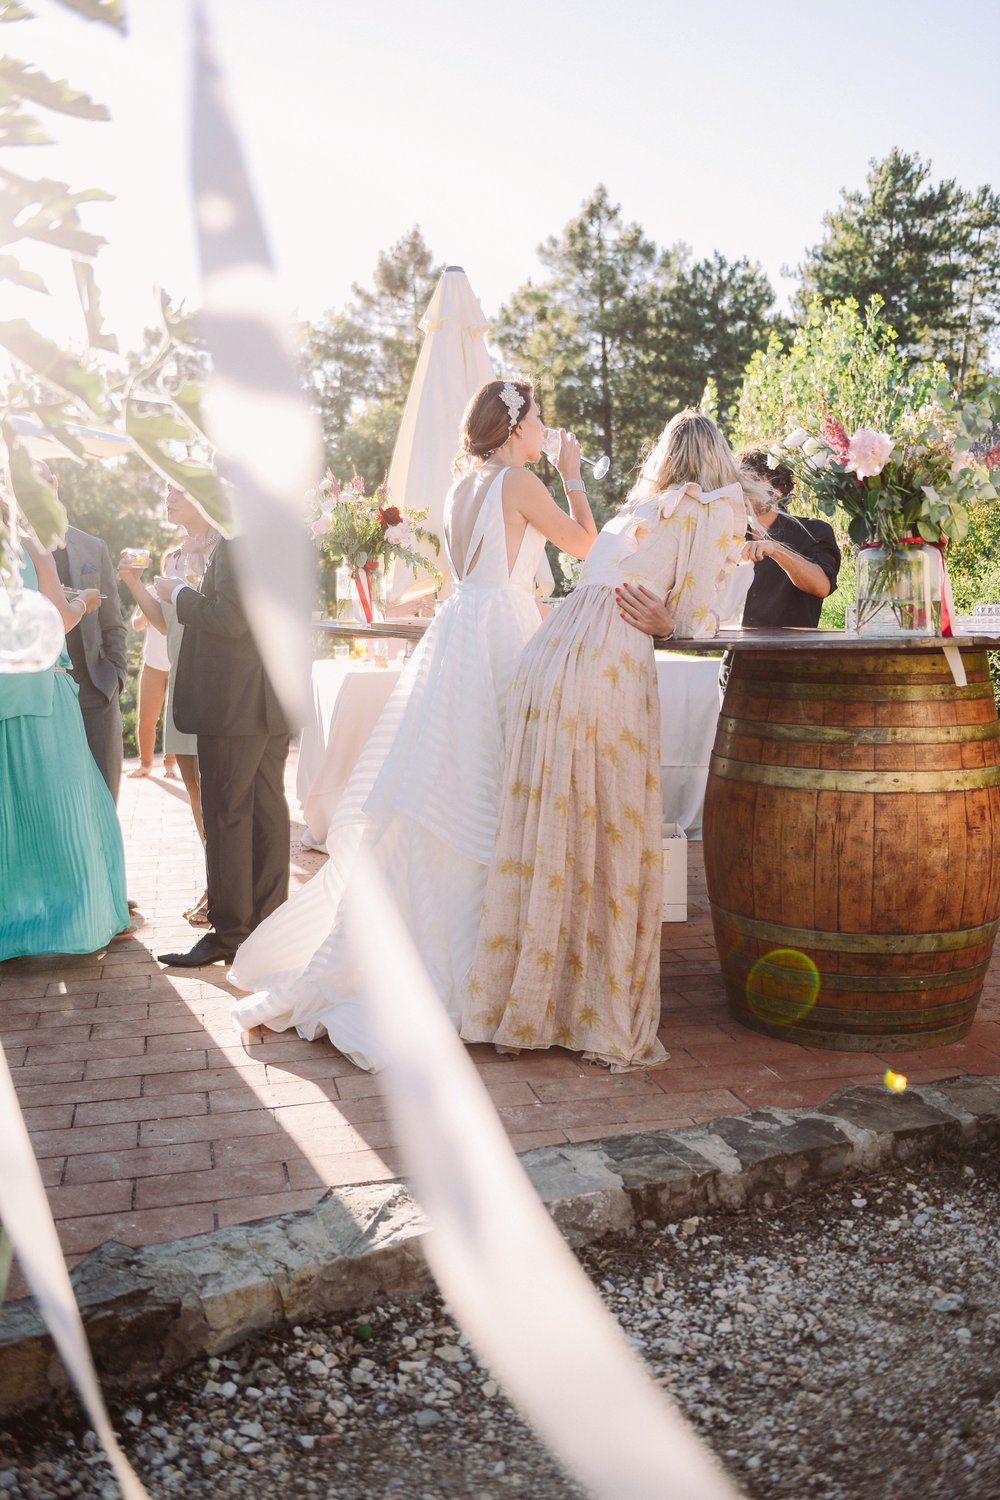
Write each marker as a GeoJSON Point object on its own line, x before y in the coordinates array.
{"type": "Point", "coordinates": [367, 533]}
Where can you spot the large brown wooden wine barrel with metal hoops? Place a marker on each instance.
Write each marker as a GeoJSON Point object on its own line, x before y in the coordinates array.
{"type": "Point", "coordinates": [852, 845]}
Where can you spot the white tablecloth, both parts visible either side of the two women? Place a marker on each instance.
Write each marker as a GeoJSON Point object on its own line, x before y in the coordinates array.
{"type": "Point", "coordinates": [349, 697]}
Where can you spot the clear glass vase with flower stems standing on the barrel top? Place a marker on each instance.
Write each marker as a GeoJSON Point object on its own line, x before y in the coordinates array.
{"type": "Point", "coordinates": [900, 590]}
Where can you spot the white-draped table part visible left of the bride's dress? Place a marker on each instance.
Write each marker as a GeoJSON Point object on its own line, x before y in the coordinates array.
{"type": "Point", "coordinates": [347, 700]}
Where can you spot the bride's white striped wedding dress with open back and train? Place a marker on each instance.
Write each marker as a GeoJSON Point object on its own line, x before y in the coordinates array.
{"type": "Point", "coordinates": [424, 799]}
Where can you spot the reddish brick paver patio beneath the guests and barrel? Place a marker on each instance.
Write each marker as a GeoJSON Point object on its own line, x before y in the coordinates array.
{"type": "Point", "coordinates": [154, 1118]}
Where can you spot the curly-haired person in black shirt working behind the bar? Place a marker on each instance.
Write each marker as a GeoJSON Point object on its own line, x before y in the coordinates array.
{"type": "Point", "coordinates": [795, 563]}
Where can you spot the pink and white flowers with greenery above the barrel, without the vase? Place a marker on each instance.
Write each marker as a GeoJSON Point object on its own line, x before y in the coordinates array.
{"type": "Point", "coordinates": [915, 482]}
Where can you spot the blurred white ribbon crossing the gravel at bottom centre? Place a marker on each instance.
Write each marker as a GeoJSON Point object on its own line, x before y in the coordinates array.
{"type": "Point", "coordinates": [513, 1283]}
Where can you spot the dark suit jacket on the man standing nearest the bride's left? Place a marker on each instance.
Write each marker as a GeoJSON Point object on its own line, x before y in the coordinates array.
{"type": "Point", "coordinates": [220, 682]}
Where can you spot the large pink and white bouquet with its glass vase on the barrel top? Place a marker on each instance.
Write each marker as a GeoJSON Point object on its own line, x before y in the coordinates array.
{"type": "Point", "coordinates": [905, 494]}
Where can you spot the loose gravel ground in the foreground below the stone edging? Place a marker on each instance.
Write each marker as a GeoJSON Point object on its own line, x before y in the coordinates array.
{"type": "Point", "coordinates": [846, 1348]}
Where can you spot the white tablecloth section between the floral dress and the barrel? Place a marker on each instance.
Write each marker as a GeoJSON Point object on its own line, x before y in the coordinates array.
{"type": "Point", "coordinates": [689, 715]}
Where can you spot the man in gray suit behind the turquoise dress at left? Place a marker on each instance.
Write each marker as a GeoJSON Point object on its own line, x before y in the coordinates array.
{"type": "Point", "coordinates": [97, 647]}
